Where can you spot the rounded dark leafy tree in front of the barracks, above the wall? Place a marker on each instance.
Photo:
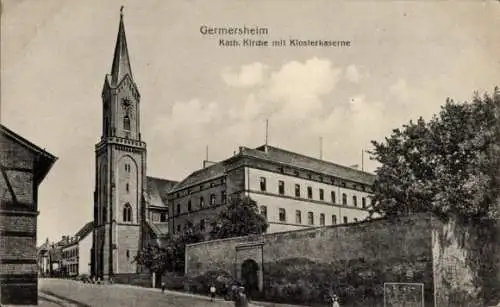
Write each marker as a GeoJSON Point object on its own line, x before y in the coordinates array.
{"type": "Point", "coordinates": [240, 218]}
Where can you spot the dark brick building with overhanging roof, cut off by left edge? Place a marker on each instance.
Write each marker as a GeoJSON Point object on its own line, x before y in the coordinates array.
{"type": "Point", "coordinates": [23, 167]}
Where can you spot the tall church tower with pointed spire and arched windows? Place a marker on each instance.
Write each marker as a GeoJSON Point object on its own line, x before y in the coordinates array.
{"type": "Point", "coordinates": [120, 170]}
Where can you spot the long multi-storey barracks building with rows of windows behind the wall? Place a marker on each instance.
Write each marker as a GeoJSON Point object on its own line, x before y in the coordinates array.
{"type": "Point", "coordinates": [292, 191]}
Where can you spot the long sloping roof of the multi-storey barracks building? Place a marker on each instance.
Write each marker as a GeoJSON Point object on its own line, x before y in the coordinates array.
{"type": "Point", "coordinates": [279, 156]}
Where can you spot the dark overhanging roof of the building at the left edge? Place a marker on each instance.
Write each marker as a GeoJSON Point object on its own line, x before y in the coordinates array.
{"type": "Point", "coordinates": [46, 159]}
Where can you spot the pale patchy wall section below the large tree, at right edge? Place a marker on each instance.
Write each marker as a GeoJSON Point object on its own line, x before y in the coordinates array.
{"type": "Point", "coordinates": [465, 264]}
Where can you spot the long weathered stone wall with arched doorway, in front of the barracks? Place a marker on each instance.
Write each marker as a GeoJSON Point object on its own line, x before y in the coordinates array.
{"type": "Point", "coordinates": [303, 266]}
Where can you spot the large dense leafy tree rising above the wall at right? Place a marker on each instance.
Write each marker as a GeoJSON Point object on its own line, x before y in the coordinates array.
{"type": "Point", "coordinates": [448, 165]}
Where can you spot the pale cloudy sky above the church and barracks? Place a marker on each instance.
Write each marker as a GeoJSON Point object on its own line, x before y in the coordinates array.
{"type": "Point", "coordinates": [405, 59]}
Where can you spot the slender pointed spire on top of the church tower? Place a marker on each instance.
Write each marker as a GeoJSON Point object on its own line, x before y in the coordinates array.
{"type": "Point", "coordinates": [121, 61]}
